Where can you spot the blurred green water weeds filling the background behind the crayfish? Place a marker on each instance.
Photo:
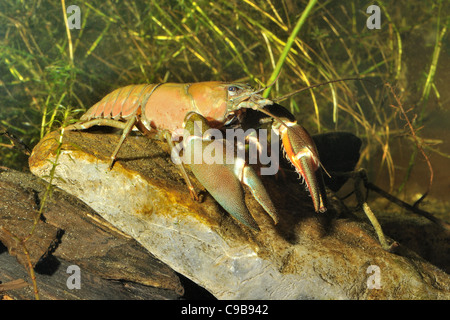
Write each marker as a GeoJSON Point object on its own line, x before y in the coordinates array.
{"type": "Point", "coordinates": [44, 72]}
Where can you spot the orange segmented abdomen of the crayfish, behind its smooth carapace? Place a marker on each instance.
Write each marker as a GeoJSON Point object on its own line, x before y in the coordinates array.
{"type": "Point", "coordinates": [121, 103]}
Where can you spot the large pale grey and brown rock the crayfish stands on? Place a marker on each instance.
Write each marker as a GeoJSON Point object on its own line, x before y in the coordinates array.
{"type": "Point", "coordinates": [305, 256]}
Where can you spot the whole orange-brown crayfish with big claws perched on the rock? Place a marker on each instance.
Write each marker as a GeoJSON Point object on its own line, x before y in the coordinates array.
{"type": "Point", "coordinates": [161, 110]}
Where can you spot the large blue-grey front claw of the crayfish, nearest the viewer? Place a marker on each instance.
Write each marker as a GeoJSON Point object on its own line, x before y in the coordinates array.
{"type": "Point", "coordinates": [223, 179]}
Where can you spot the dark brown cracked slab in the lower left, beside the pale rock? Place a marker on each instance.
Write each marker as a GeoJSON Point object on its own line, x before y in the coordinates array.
{"type": "Point", "coordinates": [112, 265]}
